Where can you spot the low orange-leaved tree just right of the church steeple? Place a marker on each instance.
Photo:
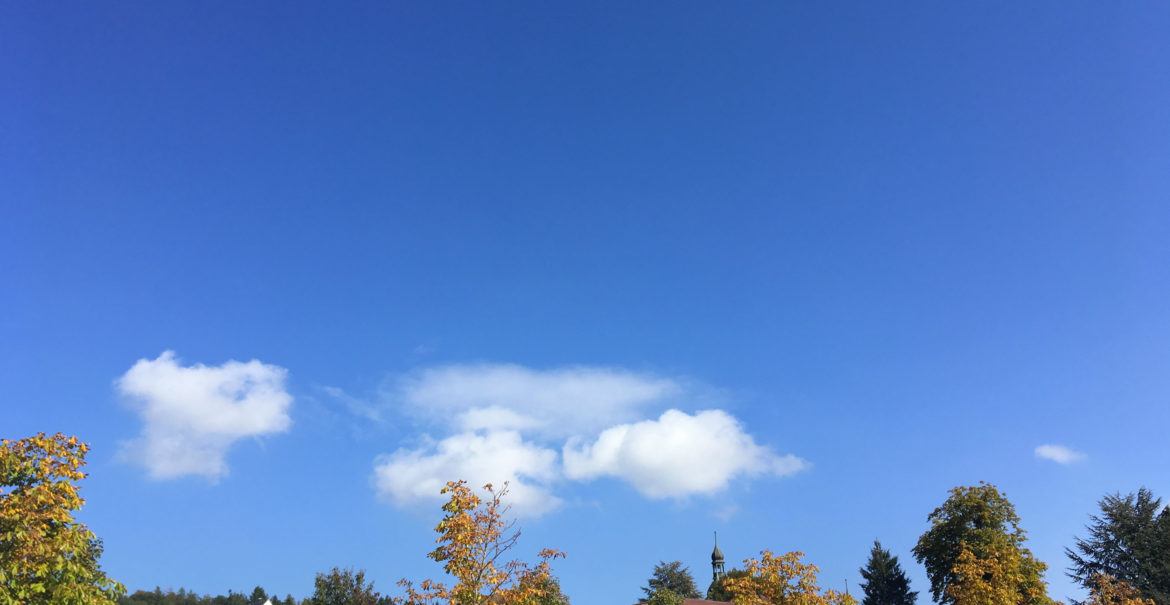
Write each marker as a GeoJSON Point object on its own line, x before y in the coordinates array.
{"type": "Point", "coordinates": [782, 581]}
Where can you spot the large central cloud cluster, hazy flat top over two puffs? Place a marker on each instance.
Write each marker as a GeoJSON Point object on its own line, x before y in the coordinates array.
{"type": "Point", "coordinates": [536, 429]}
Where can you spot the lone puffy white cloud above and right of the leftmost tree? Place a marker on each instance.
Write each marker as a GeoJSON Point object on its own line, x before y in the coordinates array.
{"type": "Point", "coordinates": [192, 415]}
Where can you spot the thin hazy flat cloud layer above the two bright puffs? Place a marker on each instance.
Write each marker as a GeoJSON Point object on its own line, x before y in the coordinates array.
{"type": "Point", "coordinates": [555, 403]}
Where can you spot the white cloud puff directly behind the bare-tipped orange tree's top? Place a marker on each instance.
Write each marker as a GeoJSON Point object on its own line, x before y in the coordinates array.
{"type": "Point", "coordinates": [494, 457]}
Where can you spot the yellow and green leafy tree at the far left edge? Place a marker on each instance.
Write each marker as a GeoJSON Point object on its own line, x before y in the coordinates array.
{"type": "Point", "coordinates": [46, 556]}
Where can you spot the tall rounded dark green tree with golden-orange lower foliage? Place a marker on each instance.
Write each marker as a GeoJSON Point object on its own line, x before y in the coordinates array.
{"type": "Point", "coordinates": [974, 552]}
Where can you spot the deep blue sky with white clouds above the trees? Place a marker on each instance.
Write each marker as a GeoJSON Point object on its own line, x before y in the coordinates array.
{"type": "Point", "coordinates": [788, 272]}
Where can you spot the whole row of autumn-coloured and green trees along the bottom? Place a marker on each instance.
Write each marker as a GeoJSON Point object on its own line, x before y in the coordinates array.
{"type": "Point", "coordinates": [974, 553]}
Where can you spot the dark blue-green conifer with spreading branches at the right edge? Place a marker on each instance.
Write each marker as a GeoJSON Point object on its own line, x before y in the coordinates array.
{"type": "Point", "coordinates": [1128, 542]}
